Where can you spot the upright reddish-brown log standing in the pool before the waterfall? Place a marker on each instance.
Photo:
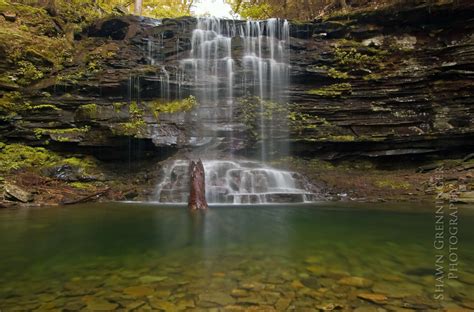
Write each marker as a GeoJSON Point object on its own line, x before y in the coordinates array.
{"type": "Point", "coordinates": [197, 194]}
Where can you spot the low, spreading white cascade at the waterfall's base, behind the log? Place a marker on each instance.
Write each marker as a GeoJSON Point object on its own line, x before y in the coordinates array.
{"type": "Point", "coordinates": [235, 182]}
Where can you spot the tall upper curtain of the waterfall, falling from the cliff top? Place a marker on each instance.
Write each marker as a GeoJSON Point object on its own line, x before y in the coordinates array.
{"type": "Point", "coordinates": [249, 56]}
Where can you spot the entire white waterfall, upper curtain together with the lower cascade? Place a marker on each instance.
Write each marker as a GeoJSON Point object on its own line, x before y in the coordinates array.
{"type": "Point", "coordinates": [229, 59]}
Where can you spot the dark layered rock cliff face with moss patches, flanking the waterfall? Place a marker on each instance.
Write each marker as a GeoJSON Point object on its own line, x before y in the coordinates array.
{"type": "Point", "coordinates": [374, 84]}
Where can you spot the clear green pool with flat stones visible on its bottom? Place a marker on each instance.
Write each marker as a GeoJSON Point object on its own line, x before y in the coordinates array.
{"type": "Point", "coordinates": [126, 256]}
